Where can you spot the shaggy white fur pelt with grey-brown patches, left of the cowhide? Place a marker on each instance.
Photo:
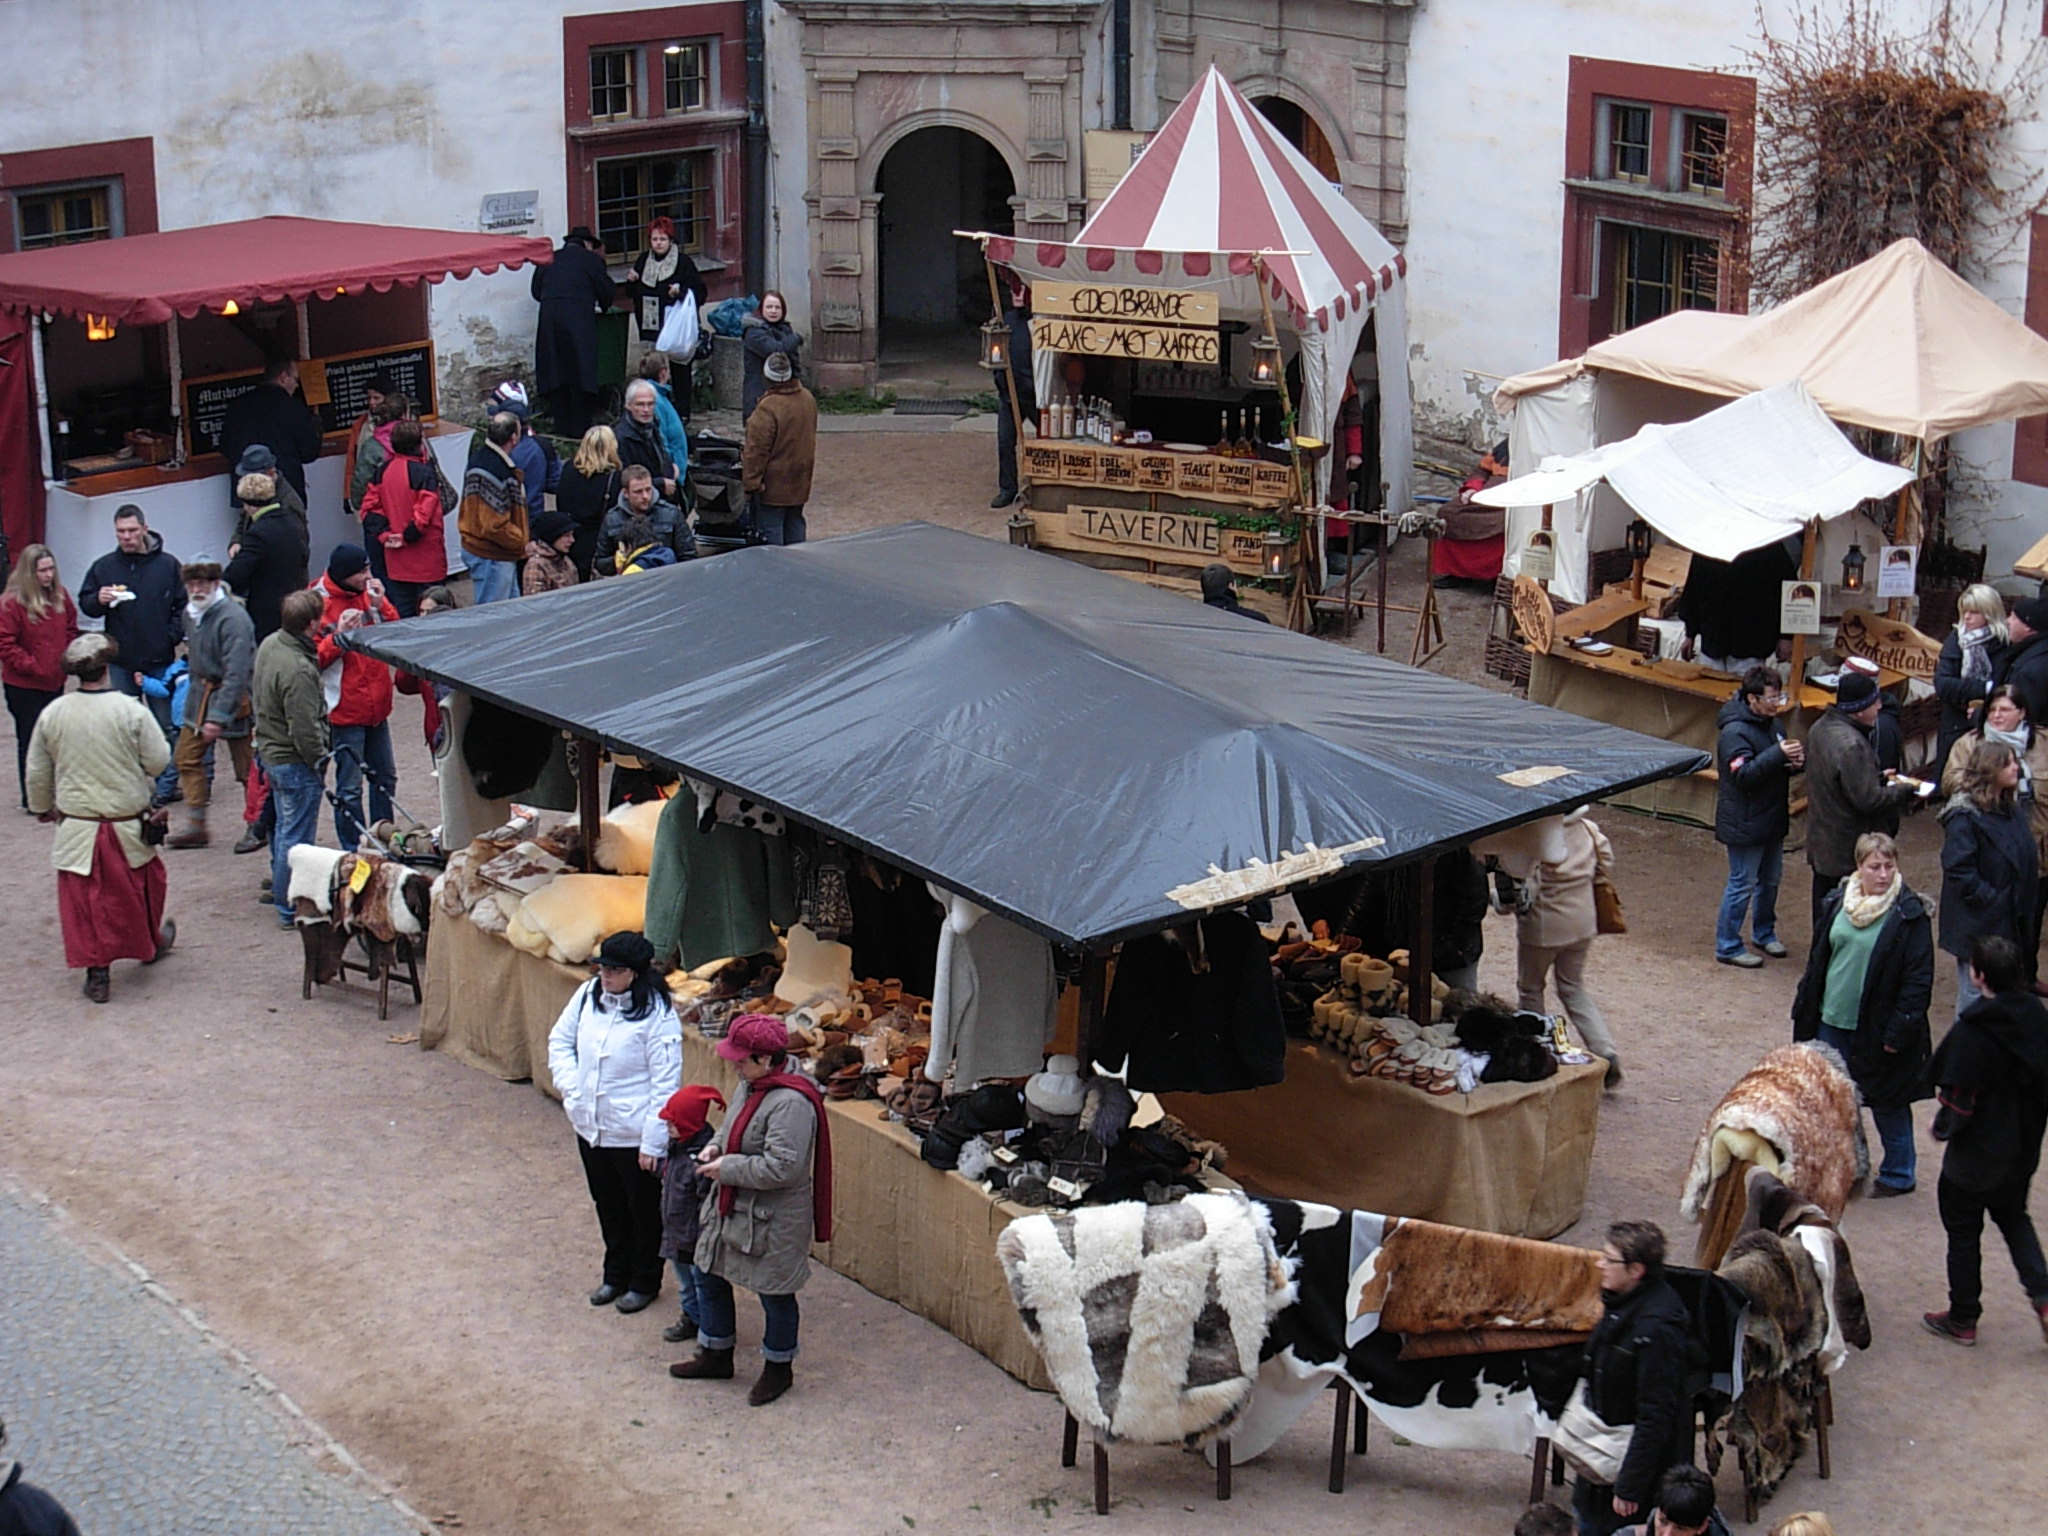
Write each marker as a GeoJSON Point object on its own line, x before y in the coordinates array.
{"type": "Point", "coordinates": [1150, 1318]}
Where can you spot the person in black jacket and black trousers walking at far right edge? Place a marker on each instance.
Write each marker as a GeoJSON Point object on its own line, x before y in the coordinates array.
{"type": "Point", "coordinates": [1992, 1078]}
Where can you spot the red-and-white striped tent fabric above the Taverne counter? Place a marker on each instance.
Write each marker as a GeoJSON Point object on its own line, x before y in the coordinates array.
{"type": "Point", "coordinates": [1222, 196]}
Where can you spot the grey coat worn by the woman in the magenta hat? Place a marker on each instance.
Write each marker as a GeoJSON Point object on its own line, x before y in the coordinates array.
{"type": "Point", "coordinates": [765, 1244]}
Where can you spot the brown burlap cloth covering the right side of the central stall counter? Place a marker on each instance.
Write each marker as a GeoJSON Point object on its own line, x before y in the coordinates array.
{"type": "Point", "coordinates": [1512, 1158]}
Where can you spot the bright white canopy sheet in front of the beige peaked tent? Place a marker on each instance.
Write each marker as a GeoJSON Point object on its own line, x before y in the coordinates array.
{"type": "Point", "coordinates": [1740, 478]}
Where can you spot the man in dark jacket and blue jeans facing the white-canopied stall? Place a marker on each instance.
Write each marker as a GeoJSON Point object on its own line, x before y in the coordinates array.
{"type": "Point", "coordinates": [1752, 814]}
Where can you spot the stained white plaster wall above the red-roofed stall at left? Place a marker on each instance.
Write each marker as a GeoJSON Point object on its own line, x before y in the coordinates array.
{"type": "Point", "coordinates": [390, 112]}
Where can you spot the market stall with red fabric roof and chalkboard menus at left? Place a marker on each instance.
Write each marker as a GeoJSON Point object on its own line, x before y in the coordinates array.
{"type": "Point", "coordinates": [140, 345]}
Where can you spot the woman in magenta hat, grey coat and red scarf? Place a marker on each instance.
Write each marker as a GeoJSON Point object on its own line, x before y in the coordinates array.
{"type": "Point", "coordinates": [771, 1166]}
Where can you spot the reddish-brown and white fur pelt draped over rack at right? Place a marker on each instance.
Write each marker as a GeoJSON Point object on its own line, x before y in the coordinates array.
{"type": "Point", "coordinates": [1801, 1101]}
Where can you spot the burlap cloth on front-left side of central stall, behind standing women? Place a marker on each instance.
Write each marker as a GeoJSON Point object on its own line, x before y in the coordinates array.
{"type": "Point", "coordinates": [908, 1232]}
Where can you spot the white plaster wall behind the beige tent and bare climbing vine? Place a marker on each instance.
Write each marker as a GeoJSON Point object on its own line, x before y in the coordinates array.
{"type": "Point", "coordinates": [1486, 151]}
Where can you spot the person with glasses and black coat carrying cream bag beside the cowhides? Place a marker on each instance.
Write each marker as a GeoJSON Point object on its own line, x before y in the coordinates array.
{"type": "Point", "coordinates": [1637, 1373]}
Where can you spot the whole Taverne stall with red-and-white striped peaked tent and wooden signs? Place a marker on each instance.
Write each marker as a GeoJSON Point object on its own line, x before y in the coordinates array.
{"type": "Point", "coordinates": [1193, 349]}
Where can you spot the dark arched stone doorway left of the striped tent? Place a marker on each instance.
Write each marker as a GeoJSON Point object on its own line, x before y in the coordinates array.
{"type": "Point", "coordinates": [931, 288]}
